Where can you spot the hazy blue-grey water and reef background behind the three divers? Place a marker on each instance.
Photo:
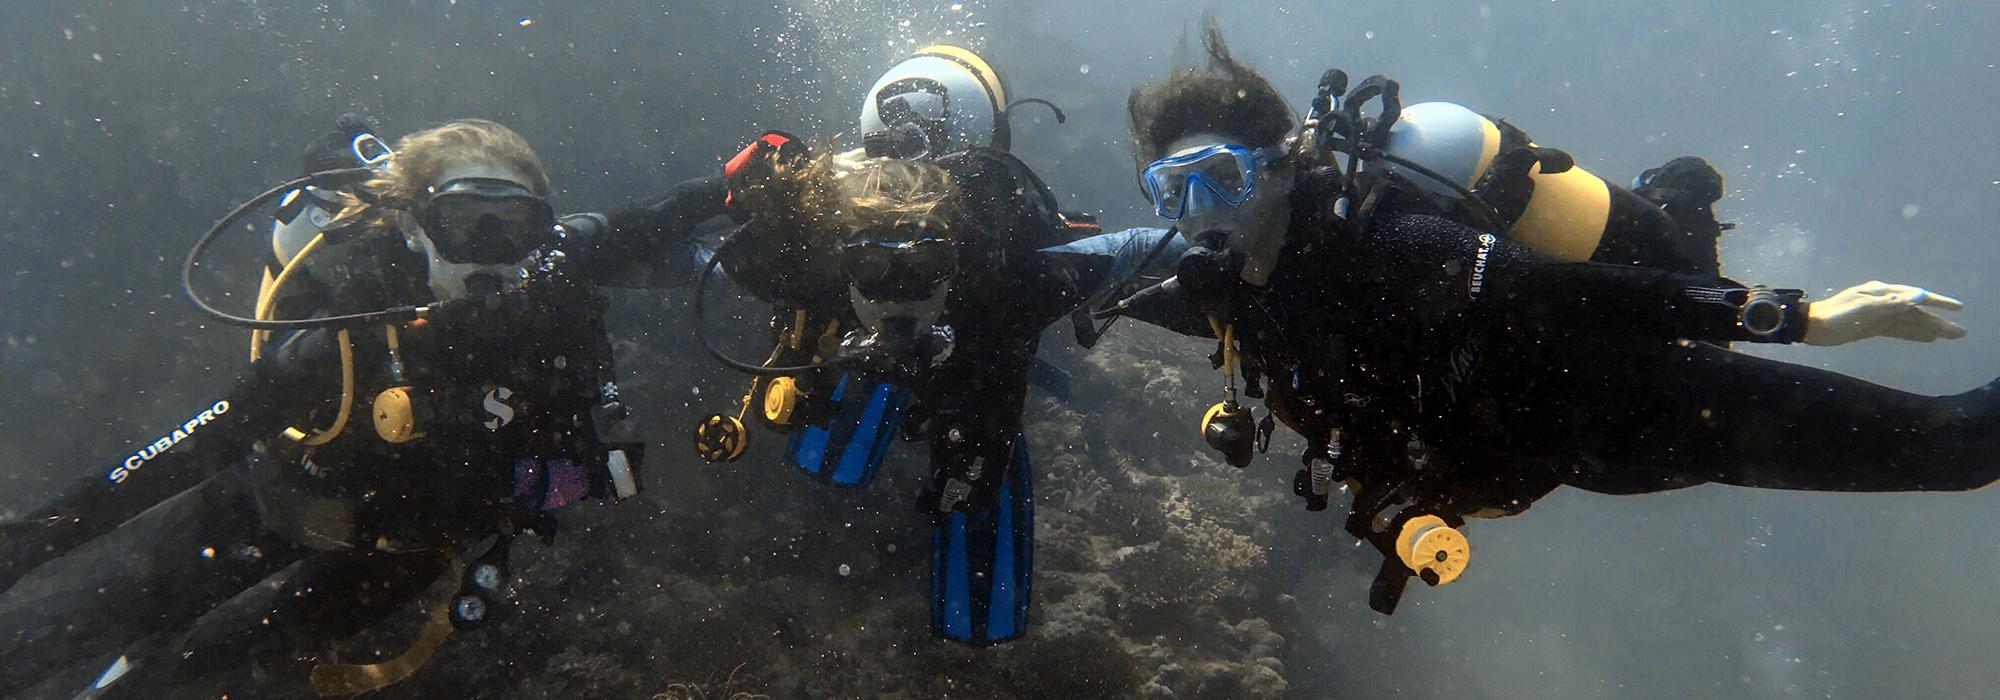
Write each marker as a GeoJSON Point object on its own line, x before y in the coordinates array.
{"type": "Point", "coordinates": [1857, 143]}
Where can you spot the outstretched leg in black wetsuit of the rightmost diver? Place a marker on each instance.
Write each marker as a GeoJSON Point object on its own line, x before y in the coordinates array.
{"type": "Point", "coordinates": [1701, 413]}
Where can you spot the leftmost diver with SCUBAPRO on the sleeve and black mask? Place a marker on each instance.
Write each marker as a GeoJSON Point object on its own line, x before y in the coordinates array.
{"type": "Point", "coordinates": [447, 395]}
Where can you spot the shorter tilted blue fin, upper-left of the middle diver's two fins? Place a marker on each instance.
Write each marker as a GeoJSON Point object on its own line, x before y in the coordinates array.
{"type": "Point", "coordinates": [849, 449]}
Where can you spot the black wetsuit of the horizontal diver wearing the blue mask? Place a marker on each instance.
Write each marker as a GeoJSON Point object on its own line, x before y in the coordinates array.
{"type": "Point", "coordinates": [1521, 375]}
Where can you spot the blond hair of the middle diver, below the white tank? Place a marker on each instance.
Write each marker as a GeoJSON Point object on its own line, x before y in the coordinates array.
{"type": "Point", "coordinates": [827, 199]}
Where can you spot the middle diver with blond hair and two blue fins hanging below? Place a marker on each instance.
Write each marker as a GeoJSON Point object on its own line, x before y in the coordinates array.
{"type": "Point", "coordinates": [905, 315]}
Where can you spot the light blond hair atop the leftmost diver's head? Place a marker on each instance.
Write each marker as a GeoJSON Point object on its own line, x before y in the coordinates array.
{"type": "Point", "coordinates": [425, 157]}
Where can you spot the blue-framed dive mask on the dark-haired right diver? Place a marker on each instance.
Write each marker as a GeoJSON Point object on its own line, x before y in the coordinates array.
{"type": "Point", "coordinates": [1219, 177]}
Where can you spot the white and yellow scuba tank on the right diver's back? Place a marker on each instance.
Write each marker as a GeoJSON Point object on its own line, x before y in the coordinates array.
{"type": "Point", "coordinates": [1565, 215]}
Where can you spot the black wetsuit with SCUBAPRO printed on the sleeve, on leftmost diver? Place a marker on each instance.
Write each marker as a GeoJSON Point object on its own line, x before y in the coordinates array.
{"type": "Point", "coordinates": [509, 385]}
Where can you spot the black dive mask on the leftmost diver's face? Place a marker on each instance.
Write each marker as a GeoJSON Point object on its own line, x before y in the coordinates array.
{"type": "Point", "coordinates": [487, 221]}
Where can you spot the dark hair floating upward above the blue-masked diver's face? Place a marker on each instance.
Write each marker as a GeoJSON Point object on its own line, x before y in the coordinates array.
{"type": "Point", "coordinates": [1217, 95]}
